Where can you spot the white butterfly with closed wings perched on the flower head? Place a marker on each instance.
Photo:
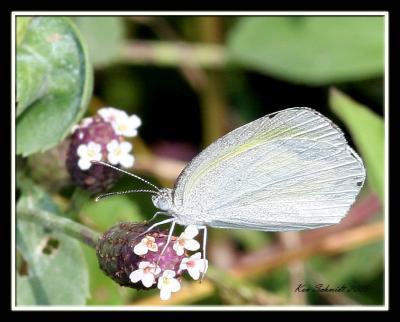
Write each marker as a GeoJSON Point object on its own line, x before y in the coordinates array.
{"type": "Point", "coordinates": [289, 170]}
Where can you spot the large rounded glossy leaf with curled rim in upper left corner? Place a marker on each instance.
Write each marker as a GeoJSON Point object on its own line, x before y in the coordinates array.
{"type": "Point", "coordinates": [54, 83]}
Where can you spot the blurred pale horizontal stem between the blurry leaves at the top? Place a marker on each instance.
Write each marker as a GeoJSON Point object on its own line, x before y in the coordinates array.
{"type": "Point", "coordinates": [174, 54]}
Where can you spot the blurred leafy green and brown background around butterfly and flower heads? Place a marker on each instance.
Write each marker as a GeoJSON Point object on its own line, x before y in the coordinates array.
{"type": "Point", "coordinates": [190, 80]}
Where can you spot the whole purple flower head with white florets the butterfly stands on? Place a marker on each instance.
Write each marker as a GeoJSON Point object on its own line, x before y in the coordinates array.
{"type": "Point", "coordinates": [135, 259]}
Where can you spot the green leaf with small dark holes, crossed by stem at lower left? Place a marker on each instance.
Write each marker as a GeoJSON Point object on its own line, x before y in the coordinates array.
{"type": "Point", "coordinates": [56, 272]}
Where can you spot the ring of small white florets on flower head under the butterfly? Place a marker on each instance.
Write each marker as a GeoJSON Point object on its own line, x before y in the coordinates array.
{"type": "Point", "coordinates": [148, 272]}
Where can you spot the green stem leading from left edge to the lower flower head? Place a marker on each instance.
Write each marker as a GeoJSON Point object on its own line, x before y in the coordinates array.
{"type": "Point", "coordinates": [60, 224]}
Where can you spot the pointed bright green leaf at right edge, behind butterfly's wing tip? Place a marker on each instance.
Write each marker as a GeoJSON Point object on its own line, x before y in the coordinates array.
{"type": "Point", "coordinates": [367, 131]}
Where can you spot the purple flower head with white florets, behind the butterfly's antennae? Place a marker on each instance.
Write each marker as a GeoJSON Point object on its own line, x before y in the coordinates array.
{"type": "Point", "coordinates": [101, 138]}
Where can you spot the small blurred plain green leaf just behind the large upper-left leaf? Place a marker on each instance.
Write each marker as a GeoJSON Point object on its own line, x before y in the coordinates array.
{"type": "Point", "coordinates": [104, 37]}
